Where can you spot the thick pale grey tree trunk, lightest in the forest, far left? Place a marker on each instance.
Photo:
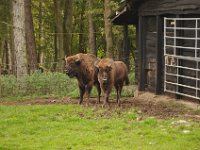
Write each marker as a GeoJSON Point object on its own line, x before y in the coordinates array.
{"type": "Point", "coordinates": [19, 37]}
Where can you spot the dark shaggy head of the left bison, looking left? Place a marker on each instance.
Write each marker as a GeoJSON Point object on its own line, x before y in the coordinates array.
{"type": "Point", "coordinates": [72, 66]}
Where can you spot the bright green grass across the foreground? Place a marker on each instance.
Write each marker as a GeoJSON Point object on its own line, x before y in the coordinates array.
{"type": "Point", "coordinates": [76, 127]}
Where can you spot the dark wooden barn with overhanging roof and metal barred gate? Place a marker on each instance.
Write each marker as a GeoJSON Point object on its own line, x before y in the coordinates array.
{"type": "Point", "coordinates": [167, 44]}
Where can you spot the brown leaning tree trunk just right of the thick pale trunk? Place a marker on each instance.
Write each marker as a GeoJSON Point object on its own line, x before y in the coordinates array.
{"type": "Point", "coordinates": [30, 38]}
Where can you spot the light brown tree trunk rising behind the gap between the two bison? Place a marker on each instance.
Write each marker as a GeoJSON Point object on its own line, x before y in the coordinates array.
{"type": "Point", "coordinates": [92, 36]}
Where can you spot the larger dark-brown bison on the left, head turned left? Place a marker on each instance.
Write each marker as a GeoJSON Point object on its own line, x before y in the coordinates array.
{"type": "Point", "coordinates": [81, 66]}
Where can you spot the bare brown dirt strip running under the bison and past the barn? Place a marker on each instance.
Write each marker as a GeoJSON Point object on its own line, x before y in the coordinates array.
{"type": "Point", "coordinates": [146, 104]}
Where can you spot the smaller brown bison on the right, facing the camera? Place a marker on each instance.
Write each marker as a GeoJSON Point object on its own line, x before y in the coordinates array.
{"type": "Point", "coordinates": [112, 73]}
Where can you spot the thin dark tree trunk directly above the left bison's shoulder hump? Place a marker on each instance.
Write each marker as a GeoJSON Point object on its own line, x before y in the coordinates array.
{"type": "Point", "coordinates": [81, 36]}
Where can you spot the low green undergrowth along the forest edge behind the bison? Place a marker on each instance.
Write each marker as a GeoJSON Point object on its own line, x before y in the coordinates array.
{"type": "Point", "coordinates": [40, 85]}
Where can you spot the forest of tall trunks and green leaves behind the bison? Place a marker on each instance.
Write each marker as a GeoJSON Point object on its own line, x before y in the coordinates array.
{"type": "Point", "coordinates": [38, 34]}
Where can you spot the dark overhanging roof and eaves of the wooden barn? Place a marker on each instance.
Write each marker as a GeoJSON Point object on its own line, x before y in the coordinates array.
{"type": "Point", "coordinates": [129, 10]}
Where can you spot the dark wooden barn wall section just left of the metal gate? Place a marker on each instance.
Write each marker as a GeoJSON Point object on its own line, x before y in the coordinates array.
{"type": "Point", "coordinates": [151, 56]}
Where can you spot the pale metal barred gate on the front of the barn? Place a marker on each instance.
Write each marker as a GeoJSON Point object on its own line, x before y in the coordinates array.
{"type": "Point", "coordinates": [182, 56]}
